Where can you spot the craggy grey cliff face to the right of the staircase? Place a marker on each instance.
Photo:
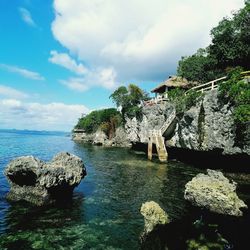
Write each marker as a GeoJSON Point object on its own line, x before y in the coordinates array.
{"type": "Point", "coordinates": [209, 126]}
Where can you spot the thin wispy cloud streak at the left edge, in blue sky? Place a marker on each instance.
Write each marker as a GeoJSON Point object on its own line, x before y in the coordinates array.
{"type": "Point", "coordinates": [23, 72]}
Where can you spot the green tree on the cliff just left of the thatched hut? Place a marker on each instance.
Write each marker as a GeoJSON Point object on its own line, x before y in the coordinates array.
{"type": "Point", "coordinates": [129, 99]}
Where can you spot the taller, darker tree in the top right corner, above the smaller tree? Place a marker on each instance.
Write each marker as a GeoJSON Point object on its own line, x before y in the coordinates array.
{"type": "Point", "coordinates": [231, 40]}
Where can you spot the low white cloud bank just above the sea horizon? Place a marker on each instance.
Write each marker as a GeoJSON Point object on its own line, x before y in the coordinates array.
{"type": "Point", "coordinates": [31, 115]}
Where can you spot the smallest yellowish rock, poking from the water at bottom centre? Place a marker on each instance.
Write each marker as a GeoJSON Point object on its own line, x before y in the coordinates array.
{"type": "Point", "coordinates": [154, 215]}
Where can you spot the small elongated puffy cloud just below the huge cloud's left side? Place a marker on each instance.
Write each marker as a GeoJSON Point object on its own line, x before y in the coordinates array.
{"type": "Point", "coordinates": [67, 62]}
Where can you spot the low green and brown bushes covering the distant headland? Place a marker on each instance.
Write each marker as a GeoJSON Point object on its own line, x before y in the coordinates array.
{"type": "Point", "coordinates": [106, 119]}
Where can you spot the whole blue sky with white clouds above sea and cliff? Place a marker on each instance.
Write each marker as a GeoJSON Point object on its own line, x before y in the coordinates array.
{"type": "Point", "coordinates": [64, 58]}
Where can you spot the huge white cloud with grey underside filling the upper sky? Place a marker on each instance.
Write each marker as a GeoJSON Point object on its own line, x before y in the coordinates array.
{"type": "Point", "coordinates": [140, 40]}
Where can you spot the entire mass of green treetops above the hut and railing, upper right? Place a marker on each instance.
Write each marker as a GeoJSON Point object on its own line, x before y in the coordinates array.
{"type": "Point", "coordinates": [229, 48]}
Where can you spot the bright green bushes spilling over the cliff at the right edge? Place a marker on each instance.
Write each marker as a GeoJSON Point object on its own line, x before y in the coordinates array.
{"type": "Point", "coordinates": [236, 91]}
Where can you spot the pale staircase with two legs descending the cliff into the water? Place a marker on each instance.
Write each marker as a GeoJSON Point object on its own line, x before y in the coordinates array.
{"type": "Point", "coordinates": [156, 137]}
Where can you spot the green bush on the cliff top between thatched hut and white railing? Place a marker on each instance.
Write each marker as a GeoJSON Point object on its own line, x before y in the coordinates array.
{"type": "Point", "coordinates": [184, 100]}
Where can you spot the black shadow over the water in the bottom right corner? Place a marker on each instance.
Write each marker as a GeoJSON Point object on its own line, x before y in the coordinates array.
{"type": "Point", "coordinates": [200, 229]}
